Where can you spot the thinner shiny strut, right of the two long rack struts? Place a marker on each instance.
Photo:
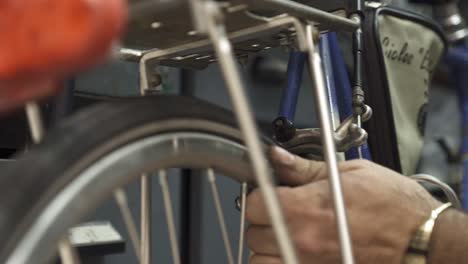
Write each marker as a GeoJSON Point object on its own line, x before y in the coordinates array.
{"type": "Point", "coordinates": [329, 147]}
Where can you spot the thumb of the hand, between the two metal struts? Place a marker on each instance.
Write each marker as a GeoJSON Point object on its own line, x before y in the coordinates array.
{"type": "Point", "coordinates": [294, 170]}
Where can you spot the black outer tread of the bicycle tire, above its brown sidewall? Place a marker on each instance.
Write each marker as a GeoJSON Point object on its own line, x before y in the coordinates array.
{"type": "Point", "coordinates": [34, 173]}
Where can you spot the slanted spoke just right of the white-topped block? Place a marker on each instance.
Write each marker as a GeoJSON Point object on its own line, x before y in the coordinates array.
{"type": "Point", "coordinates": [122, 201]}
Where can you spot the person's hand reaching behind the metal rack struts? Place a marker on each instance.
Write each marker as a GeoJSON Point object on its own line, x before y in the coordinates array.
{"type": "Point", "coordinates": [384, 210]}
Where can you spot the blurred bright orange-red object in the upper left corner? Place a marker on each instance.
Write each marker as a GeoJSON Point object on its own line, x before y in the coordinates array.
{"type": "Point", "coordinates": [45, 41]}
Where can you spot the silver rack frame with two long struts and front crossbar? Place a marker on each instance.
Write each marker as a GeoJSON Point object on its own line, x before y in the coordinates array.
{"type": "Point", "coordinates": [222, 42]}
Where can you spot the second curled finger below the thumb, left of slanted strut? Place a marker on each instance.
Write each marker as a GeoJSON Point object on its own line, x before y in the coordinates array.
{"type": "Point", "coordinates": [262, 240]}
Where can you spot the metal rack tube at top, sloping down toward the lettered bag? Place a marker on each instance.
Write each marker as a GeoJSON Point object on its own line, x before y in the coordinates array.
{"type": "Point", "coordinates": [327, 20]}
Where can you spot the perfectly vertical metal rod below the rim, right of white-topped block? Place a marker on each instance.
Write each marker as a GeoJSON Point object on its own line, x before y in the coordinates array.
{"type": "Point", "coordinates": [145, 248]}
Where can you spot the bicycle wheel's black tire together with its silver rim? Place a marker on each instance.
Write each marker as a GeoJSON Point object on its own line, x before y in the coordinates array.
{"type": "Point", "coordinates": [81, 162]}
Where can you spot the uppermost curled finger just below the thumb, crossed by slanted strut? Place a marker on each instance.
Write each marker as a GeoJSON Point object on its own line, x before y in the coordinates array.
{"type": "Point", "coordinates": [256, 212]}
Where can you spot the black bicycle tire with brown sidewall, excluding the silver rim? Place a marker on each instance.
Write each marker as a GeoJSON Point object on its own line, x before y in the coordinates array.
{"type": "Point", "coordinates": [37, 177]}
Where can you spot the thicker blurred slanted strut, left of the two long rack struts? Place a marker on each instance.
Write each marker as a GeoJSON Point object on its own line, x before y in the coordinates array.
{"type": "Point", "coordinates": [245, 119]}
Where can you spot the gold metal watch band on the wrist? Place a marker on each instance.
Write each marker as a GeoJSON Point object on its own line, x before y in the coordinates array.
{"type": "Point", "coordinates": [419, 245]}
